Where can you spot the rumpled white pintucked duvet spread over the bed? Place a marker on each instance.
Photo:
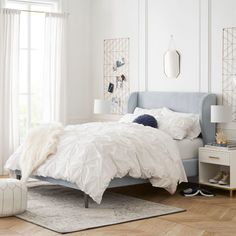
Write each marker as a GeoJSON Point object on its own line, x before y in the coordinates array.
{"type": "Point", "coordinates": [91, 155]}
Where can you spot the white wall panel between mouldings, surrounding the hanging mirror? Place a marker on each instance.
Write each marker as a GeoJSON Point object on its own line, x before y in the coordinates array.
{"type": "Point", "coordinates": [179, 18]}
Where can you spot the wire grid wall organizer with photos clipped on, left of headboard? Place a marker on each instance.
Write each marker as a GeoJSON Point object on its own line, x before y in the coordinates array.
{"type": "Point", "coordinates": [116, 73]}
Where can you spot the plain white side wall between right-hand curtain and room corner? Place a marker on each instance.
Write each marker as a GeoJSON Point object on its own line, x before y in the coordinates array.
{"type": "Point", "coordinates": [79, 77]}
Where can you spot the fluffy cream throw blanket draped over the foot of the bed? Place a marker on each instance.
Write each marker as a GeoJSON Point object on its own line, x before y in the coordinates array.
{"type": "Point", "coordinates": [39, 145]}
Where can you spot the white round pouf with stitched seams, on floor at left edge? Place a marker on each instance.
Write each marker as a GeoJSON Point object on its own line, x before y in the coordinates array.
{"type": "Point", "coordinates": [13, 197]}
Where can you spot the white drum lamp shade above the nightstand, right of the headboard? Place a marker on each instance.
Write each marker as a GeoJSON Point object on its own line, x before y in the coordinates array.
{"type": "Point", "coordinates": [221, 114]}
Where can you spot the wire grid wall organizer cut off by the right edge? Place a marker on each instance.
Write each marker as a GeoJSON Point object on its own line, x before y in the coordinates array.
{"type": "Point", "coordinates": [229, 69]}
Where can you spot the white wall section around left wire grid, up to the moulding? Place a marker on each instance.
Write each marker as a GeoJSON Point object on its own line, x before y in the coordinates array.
{"type": "Point", "coordinates": [114, 19]}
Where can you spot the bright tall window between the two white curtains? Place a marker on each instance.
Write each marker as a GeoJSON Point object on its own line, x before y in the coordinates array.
{"type": "Point", "coordinates": [31, 57]}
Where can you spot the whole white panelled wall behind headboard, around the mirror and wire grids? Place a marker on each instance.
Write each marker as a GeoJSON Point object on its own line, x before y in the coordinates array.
{"type": "Point", "coordinates": [197, 29]}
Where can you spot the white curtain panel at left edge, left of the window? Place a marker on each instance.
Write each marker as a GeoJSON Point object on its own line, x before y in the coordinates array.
{"type": "Point", "coordinates": [9, 61]}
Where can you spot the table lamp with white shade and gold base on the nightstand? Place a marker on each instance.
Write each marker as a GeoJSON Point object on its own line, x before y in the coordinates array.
{"type": "Point", "coordinates": [221, 114]}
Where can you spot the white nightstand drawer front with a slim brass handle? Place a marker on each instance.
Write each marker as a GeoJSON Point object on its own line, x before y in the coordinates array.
{"type": "Point", "coordinates": [214, 157]}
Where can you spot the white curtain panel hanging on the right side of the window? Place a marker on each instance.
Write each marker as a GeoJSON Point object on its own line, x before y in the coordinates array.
{"type": "Point", "coordinates": [55, 71]}
